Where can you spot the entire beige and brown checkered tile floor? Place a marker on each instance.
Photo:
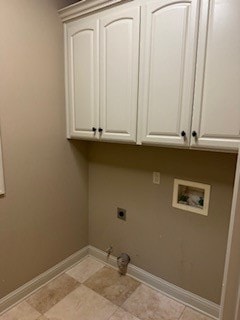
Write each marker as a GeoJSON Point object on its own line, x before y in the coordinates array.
{"type": "Point", "coordinates": [93, 291]}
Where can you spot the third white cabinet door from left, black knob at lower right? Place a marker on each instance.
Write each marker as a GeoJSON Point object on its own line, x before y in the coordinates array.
{"type": "Point", "coordinates": [169, 34]}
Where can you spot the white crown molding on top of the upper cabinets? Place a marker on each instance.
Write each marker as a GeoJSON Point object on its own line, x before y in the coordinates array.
{"type": "Point", "coordinates": [86, 6]}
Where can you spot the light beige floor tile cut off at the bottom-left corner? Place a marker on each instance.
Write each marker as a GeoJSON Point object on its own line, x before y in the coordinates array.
{"type": "Point", "coordinates": [23, 311]}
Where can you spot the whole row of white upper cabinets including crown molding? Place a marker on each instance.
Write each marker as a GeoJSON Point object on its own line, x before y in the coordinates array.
{"type": "Point", "coordinates": [158, 72]}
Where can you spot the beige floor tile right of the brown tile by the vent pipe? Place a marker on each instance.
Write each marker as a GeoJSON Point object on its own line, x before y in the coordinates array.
{"type": "Point", "coordinates": [148, 304]}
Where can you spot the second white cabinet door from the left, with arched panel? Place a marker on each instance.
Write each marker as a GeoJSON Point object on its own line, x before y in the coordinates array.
{"type": "Point", "coordinates": [119, 51]}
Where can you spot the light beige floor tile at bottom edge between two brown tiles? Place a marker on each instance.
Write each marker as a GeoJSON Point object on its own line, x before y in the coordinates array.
{"type": "Point", "coordinates": [83, 304]}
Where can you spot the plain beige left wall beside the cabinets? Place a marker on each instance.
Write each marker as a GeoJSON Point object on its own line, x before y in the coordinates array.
{"type": "Point", "coordinates": [43, 216]}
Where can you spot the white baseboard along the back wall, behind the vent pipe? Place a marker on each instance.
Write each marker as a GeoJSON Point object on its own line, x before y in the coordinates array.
{"type": "Point", "coordinates": [190, 299]}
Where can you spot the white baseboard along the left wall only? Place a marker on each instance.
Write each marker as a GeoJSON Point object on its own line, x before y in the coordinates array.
{"type": "Point", "coordinates": [21, 293]}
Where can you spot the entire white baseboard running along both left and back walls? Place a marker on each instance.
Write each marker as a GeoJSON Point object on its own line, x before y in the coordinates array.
{"type": "Point", "coordinates": [181, 295]}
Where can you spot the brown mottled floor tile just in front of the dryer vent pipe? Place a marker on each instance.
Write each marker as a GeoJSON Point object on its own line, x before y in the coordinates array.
{"type": "Point", "coordinates": [110, 284]}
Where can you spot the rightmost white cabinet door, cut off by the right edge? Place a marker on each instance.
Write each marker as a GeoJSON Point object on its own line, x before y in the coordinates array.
{"type": "Point", "coordinates": [216, 117]}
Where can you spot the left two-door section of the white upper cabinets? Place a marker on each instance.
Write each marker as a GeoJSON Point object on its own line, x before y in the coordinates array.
{"type": "Point", "coordinates": [102, 75]}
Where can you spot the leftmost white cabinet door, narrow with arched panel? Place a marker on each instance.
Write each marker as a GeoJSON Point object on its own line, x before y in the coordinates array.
{"type": "Point", "coordinates": [82, 78]}
